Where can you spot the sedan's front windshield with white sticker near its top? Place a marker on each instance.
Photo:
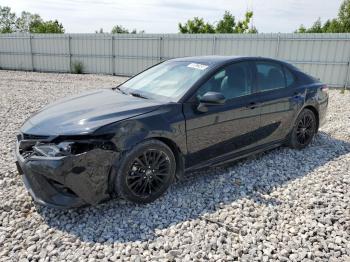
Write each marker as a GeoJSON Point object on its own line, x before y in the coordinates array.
{"type": "Point", "coordinates": [168, 80]}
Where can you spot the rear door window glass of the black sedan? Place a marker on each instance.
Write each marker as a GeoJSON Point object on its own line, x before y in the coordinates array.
{"type": "Point", "coordinates": [270, 76]}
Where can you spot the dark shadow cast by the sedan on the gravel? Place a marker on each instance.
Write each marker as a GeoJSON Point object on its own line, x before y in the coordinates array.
{"type": "Point", "coordinates": [199, 195]}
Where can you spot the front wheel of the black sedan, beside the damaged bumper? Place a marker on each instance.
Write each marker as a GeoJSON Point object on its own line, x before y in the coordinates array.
{"type": "Point", "coordinates": [145, 172]}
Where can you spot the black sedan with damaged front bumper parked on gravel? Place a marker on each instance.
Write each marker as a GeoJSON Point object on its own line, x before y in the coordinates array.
{"type": "Point", "coordinates": [134, 140]}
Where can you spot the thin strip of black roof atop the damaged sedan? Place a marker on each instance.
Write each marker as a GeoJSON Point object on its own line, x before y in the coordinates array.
{"type": "Point", "coordinates": [217, 60]}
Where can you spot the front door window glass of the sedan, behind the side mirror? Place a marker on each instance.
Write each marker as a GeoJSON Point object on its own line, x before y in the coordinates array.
{"type": "Point", "coordinates": [233, 81]}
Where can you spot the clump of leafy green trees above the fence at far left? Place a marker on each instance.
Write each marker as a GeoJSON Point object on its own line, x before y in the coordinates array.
{"type": "Point", "coordinates": [27, 22]}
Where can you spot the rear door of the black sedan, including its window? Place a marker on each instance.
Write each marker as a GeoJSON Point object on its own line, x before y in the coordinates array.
{"type": "Point", "coordinates": [276, 87]}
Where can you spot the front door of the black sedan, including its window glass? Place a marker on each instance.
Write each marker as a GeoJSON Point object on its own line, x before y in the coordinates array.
{"type": "Point", "coordinates": [226, 128]}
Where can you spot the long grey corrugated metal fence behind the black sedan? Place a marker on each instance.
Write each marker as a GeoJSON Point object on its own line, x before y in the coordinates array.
{"type": "Point", "coordinates": [325, 56]}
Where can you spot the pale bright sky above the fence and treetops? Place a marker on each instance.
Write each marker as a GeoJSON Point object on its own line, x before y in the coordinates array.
{"type": "Point", "coordinates": [163, 16]}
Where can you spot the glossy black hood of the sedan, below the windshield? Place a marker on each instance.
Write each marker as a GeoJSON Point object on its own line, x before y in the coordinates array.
{"type": "Point", "coordinates": [86, 112]}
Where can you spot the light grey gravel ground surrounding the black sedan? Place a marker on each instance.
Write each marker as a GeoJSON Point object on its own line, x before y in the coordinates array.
{"type": "Point", "coordinates": [284, 205]}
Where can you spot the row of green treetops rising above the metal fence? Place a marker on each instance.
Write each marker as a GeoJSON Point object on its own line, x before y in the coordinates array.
{"type": "Point", "coordinates": [228, 24]}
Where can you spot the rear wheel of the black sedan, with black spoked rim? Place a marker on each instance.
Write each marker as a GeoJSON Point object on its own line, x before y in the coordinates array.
{"type": "Point", "coordinates": [303, 131]}
